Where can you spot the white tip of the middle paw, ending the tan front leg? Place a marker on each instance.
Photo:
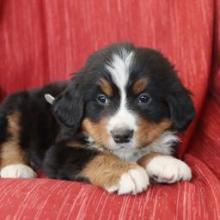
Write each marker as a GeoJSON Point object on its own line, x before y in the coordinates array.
{"type": "Point", "coordinates": [133, 182]}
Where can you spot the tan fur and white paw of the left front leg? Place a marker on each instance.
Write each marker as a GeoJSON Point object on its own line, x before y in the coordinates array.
{"type": "Point", "coordinates": [113, 174]}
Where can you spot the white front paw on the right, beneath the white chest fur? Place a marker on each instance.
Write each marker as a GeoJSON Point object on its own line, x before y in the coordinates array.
{"type": "Point", "coordinates": [167, 169]}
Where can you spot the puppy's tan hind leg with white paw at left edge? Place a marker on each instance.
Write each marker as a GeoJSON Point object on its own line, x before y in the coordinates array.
{"type": "Point", "coordinates": [13, 160]}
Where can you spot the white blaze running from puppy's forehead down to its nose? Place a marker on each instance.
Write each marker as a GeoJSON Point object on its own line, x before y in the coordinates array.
{"type": "Point", "coordinates": [119, 69]}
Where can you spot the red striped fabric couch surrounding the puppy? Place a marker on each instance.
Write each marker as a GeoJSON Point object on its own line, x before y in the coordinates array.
{"type": "Point", "coordinates": [43, 41]}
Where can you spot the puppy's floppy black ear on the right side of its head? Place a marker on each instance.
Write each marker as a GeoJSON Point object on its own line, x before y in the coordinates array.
{"type": "Point", "coordinates": [181, 108]}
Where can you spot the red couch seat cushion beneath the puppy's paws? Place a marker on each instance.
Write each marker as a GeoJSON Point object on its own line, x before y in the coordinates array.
{"type": "Point", "coordinates": [55, 199]}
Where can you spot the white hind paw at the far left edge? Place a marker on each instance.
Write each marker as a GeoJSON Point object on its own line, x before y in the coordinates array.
{"type": "Point", "coordinates": [17, 171]}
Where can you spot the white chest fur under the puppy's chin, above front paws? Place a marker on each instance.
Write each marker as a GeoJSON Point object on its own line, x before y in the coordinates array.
{"type": "Point", "coordinates": [163, 145]}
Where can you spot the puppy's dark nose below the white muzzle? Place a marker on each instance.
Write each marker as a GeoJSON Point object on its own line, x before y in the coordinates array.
{"type": "Point", "coordinates": [122, 135]}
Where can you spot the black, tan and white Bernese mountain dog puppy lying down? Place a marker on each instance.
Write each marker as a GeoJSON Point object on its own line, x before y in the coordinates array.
{"type": "Point", "coordinates": [114, 124]}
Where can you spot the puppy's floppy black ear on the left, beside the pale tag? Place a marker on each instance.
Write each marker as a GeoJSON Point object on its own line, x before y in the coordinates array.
{"type": "Point", "coordinates": [68, 107]}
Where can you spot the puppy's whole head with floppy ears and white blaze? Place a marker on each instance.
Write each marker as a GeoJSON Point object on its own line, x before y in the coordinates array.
{"type": "Point", "coordinates": [125, 97]}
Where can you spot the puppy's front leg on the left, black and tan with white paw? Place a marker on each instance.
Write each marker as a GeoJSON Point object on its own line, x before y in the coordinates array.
{"type": "Point", "coordinates": [101, 169]}
